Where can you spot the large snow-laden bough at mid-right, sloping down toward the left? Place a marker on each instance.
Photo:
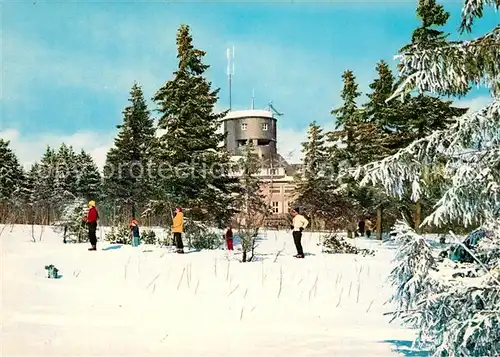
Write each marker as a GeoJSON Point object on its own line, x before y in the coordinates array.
{"type": "Point", "coordinates": [471, 147]}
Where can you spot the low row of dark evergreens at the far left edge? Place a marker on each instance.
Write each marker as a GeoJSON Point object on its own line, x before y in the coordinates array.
{"type": "Point", "coordinates": [38, 195]}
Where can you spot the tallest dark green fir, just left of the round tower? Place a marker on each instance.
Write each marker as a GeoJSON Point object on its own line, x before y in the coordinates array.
{"type": "Point", "coordinates": [191, 144]}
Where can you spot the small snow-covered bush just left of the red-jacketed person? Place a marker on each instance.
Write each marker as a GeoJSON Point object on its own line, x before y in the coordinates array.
{"type": "Point", "coordinates": [72, 223]}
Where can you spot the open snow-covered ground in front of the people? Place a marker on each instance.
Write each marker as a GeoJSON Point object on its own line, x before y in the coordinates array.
{"type": "Point", "coordinates": [145, 301]}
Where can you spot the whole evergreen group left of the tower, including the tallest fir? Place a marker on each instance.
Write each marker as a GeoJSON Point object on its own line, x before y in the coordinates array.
{"type": "Point", "coordinates": [146, 174]}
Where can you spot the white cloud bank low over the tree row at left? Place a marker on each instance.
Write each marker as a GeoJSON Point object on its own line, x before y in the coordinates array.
{"type": "Point", "coordinates": [30, 148]}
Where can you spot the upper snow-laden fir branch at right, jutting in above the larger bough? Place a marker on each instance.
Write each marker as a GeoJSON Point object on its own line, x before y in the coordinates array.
{"type": "Point", "coordinates": [450, 69]}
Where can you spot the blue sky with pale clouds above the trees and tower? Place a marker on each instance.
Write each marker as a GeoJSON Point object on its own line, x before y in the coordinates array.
{"type": "Point", "coordinates": [68, 67]}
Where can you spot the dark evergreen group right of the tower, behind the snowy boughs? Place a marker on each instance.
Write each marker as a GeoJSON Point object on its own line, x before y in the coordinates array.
{"type": "Point", "coordinates": [327, 187]}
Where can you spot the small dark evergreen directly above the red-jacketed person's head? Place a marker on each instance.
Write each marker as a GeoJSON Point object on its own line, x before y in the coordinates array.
{"type": "Point", "coordinates": [89, 183]}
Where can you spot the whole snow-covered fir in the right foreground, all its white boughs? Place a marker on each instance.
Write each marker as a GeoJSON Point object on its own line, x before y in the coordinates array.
{"type": "Point", "coordinates": [456, 305]}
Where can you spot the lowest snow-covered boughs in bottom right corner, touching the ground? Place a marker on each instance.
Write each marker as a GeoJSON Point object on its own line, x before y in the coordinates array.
{"type": "Point", "coordinates": [455, 305]}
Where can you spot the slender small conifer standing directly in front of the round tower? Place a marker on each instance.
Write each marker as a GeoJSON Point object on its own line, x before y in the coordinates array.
{"type": "Point", "coordinates": [251, 203]}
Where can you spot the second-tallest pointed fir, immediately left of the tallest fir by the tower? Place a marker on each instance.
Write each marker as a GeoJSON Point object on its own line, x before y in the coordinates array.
{"type": "Point", "coordinates": [126, 173]}
